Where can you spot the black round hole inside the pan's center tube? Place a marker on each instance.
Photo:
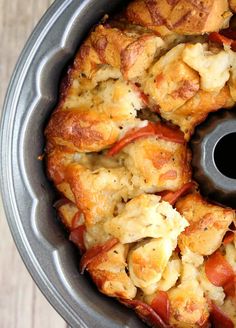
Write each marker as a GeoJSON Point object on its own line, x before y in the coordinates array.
{"type": "Point", "coordinates": [224, 156]}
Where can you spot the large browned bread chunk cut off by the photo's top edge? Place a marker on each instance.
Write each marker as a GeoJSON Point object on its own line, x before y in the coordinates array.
{"type": "Point", "coordinates": [183, 17]}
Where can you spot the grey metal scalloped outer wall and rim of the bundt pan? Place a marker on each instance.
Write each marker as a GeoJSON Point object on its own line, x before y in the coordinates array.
{"type": "Point", "coordinates": [27, 195]}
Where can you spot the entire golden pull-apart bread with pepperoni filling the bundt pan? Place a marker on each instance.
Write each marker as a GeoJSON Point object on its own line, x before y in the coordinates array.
{"type": "Point", "coordinates": [117, 152]}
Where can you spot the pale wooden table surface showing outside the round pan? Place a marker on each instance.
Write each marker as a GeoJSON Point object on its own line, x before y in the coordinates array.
{"type": "Point", "coordinates": [21, 303]}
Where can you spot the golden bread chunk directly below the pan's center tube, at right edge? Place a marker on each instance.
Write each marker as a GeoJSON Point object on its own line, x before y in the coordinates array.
{"type": "Point", "coordinates": [207, 224]}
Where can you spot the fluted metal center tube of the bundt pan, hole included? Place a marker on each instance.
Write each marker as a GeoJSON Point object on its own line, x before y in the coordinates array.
{"type": "Point", "coordinates": [214, 161]}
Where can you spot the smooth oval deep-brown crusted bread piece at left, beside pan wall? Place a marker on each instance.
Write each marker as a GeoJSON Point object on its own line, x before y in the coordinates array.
{"type": "Point", "coordinates": [78, 130]}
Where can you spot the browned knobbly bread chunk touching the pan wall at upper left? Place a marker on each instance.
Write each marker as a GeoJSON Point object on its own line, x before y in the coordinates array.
{"type": "Point", "coordinates": [131, 53]}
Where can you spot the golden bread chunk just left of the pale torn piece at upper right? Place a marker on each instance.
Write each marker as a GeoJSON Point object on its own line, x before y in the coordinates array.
{"type": "Point", "coordinates": [170, 81]}
